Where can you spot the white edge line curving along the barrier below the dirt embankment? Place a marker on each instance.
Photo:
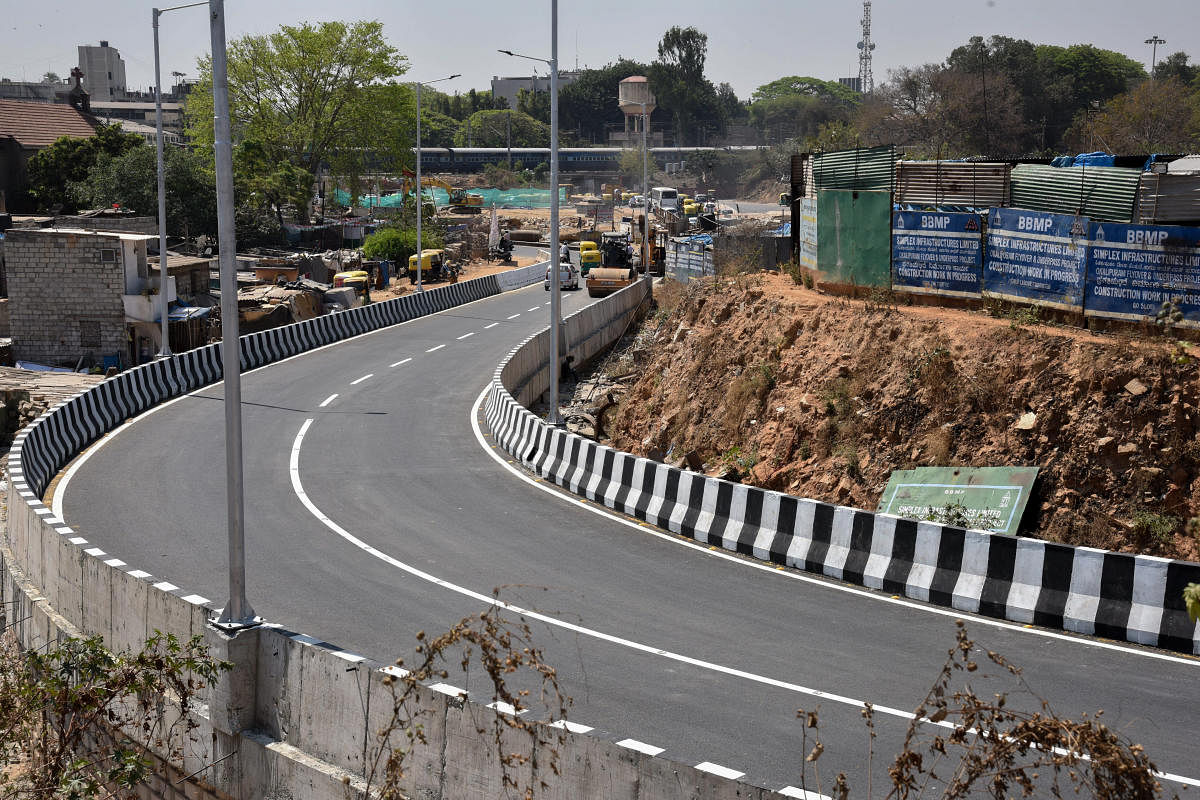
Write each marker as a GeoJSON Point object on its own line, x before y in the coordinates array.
{"type": "Point", "coordinates": [800, 576]}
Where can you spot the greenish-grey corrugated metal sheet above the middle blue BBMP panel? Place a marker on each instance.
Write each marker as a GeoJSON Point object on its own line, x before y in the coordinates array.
{"type": "Point", "coordinates": [1102, 194]}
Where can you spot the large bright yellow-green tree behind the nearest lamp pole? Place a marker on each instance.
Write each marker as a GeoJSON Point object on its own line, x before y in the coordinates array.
{"type": "Point", "coordinates": [305, 97]}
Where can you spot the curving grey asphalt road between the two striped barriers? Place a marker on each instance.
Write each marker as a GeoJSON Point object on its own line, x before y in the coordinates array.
{"type": "Point", "coordinates": [705, 655]}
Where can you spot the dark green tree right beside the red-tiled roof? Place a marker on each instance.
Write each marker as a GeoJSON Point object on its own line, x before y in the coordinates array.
{"type": "Point", "coordinates": [68, 161]}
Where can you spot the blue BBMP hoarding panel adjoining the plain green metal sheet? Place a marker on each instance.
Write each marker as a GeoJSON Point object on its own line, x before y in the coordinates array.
{"type": "Point", "coordinates": [937, 252]}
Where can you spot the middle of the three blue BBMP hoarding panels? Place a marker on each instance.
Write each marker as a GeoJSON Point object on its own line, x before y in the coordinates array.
{"type": "Point", "coordinates": [1036, 257]}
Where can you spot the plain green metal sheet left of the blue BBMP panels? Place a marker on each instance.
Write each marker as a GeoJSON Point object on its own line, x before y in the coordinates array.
{"type": "Point", "coordinates": [855, 237]}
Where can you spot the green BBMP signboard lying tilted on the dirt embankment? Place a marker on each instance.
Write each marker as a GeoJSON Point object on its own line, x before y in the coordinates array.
{"type": "Point", "coordinates": [982, 498]}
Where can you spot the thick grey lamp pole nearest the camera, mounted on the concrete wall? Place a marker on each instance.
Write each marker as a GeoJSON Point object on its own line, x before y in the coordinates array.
{"type": "Point", "coordinates": [237, 612]}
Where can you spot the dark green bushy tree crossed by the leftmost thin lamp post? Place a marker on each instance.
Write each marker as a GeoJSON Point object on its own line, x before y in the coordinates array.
{"type": "Point", "coordinates": [131, 181]}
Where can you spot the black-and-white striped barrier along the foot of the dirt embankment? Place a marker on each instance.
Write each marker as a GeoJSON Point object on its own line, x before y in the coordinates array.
{"type": "Point", "coordinates": [1085, 591]}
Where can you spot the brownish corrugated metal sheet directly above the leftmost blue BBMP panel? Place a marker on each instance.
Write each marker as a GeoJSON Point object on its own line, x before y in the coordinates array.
{"type": "Point", "coordinates": [953, 183]}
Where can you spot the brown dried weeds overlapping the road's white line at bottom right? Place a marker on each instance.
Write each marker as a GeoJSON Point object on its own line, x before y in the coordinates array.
{"type": "Point", "coordinates": [963, 743]}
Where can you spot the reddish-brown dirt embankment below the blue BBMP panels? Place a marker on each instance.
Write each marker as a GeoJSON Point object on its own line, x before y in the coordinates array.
{"type": "Point", "coordinates": [824, 398]}
